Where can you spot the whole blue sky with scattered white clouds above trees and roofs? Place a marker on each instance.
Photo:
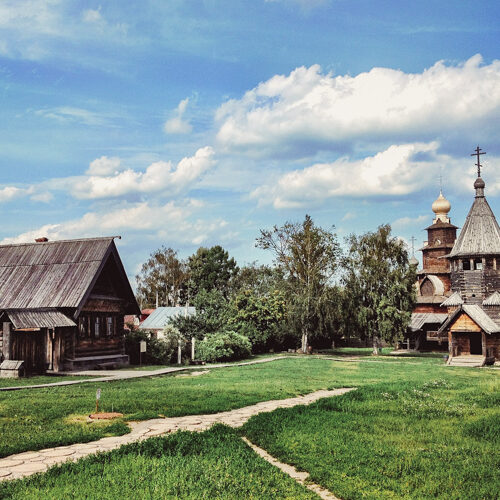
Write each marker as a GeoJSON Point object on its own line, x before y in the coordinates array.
{"type": "Point", "coordinates": [187, 123]}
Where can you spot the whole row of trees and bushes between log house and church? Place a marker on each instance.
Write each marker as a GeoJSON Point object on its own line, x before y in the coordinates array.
{"type": "Point", "coordinates": [315, 292]}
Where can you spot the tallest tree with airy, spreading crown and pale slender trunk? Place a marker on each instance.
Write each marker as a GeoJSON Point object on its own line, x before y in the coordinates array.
{"type": "Point", "coordinates": [309, 257]}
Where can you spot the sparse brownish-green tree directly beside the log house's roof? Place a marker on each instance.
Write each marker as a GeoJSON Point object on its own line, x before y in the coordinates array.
{"type": "Point", "coordinates": [162, 279]}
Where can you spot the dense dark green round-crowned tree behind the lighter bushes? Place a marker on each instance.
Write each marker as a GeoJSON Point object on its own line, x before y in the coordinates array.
{"type": "Point", "coordinates": [211, 269]}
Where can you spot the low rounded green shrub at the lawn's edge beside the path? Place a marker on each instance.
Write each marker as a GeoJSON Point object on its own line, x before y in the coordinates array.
{"type": "Point", "coordinates": [224, 346]}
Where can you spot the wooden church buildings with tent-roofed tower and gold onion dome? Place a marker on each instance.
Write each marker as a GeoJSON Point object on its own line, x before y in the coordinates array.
{"type": "Point", "coordinates": [469, 283]}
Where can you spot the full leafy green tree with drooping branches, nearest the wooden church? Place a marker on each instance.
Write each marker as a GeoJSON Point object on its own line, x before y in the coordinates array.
{"type": "Point", "coordinates": [379, 284]}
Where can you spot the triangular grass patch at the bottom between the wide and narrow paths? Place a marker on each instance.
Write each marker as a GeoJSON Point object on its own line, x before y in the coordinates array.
{"type": "Point", "coordinates": [213, 464]}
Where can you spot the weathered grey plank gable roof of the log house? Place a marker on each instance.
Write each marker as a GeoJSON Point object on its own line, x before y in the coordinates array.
{"type": "Point", "coordinates": [55, 274]}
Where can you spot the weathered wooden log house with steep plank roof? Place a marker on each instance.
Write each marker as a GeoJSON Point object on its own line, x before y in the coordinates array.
{"type": "Point", "coordinates": [62, 304]}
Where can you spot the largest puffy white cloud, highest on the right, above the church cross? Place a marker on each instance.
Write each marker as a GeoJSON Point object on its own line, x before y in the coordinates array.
{"type": "Point", "coordinates": [309, 111]}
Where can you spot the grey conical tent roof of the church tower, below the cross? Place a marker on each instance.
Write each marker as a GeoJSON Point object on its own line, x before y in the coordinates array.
{"type": "Point", "coordinates": [480, 234]}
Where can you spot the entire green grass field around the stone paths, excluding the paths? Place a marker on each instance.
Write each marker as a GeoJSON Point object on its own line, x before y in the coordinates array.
{"type": "Point", "coordinates": [413, 429]}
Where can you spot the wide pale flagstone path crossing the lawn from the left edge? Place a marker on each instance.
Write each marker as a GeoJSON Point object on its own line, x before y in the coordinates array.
{"type": "Point", "coordinates": [25, 464]}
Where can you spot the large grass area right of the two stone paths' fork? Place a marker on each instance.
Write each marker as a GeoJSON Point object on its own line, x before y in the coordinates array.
{"type": "Point", "coordinates": [437, 437]}
